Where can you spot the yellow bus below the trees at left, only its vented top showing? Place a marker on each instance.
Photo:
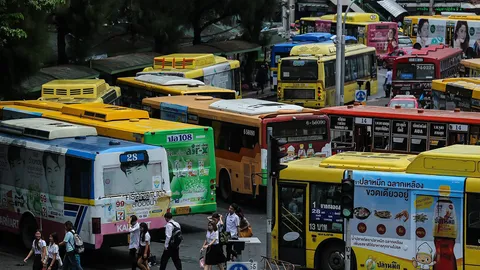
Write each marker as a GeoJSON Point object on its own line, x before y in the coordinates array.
{"type": "Point", "coordinates": [81, 91]}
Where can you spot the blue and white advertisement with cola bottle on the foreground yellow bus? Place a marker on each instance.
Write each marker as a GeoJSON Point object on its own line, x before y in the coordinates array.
{"type": "Point", "coordinates": [394, 211]}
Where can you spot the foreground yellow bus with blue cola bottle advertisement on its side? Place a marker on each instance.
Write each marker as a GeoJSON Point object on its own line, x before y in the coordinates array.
{"type": "Point", "coordinates": [410, 212]}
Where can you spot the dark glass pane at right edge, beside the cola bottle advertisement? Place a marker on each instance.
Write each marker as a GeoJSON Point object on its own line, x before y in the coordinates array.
{"type": "Point", "coordinates": [473, 219]}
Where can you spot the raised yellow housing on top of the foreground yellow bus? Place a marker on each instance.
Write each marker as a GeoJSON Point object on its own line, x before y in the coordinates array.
{"type": "Point", "coordinates": [454, 160]}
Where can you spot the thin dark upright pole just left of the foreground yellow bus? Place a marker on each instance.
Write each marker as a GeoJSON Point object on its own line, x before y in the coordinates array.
{"type": "Point", "coordinates": [269, 192]}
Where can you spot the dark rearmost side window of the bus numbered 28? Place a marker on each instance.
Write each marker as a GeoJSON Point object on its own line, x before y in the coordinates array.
{"type": "Point", "coordinates": [78, 177]}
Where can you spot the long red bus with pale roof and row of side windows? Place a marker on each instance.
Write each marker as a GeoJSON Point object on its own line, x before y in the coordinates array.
{"type": "Point", "coordinates": [399, 130]}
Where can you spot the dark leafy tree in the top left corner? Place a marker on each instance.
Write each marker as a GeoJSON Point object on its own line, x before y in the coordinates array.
{"type": "Point", "coordinates": [23, 40]}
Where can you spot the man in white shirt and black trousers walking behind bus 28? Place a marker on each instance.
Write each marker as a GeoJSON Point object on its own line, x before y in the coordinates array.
{"type": "Point", "coordinates": [170, 252]}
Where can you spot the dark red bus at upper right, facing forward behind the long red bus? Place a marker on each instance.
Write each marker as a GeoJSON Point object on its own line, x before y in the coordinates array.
{"type": "Point", "coordinates": [413, 74]}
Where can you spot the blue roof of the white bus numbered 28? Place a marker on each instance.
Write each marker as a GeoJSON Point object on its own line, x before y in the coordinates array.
{"type": "Point", "coordinates": [87, 147]}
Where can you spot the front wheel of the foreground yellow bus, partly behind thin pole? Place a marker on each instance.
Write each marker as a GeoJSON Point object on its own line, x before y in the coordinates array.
{"type": "Point", "coordinates": [330, 256]}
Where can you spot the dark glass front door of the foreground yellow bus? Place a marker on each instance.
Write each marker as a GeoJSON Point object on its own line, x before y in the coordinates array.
{"type": "Point", "coordinates": [292, 223]}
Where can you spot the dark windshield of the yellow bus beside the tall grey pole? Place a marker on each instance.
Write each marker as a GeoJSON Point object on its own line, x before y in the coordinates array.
{"type": "Point", "coordinates": [295, 70]}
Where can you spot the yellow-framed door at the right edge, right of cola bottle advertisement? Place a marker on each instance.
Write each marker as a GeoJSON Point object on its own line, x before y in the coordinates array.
{"type": "Point", "coordinates": [472, 229]}
